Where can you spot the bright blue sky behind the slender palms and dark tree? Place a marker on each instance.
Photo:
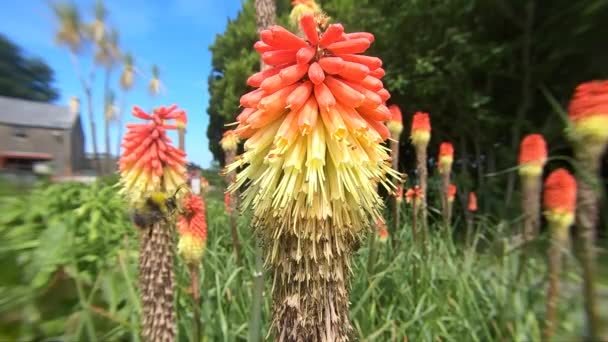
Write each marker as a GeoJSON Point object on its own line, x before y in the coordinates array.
{"type": "Point", "coordinates": [176, 36]}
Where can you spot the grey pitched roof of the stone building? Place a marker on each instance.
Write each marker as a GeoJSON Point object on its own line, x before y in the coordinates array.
{"type": "Point", "coordinates": [21, 112]}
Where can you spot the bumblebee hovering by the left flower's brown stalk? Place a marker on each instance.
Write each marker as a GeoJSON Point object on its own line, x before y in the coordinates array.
{"type": "Point", "coordinates": [158, 207]}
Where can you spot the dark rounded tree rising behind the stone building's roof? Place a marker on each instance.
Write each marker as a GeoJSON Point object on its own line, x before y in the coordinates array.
{"type": "Point", "coordinates": [24, 77]}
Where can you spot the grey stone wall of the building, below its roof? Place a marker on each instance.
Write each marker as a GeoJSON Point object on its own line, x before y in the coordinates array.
{"type": "Point", "coordinates": [56, 142]}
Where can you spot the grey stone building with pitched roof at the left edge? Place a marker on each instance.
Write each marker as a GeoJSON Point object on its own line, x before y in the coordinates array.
{"type": "Point", "coordinates": [37, 136]}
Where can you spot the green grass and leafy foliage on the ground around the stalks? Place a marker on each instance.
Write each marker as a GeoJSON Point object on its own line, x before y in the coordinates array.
{"type": "Point", "coordinates": [59, 281]}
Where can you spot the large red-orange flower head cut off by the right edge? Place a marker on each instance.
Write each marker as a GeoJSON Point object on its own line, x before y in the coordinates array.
{"type": "Point", "coordinates": [588, 111]}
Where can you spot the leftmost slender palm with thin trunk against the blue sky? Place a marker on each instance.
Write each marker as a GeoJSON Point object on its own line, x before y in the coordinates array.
{"type": "Point", "coordinates": [70, 35]}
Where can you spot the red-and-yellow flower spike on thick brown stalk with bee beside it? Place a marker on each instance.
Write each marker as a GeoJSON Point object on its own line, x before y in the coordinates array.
{"type": "Point", "coordinates": [151, 174]}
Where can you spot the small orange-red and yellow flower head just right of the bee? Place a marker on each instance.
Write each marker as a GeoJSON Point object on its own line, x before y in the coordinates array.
{"type": "Point", "coordinates": [192, 228]}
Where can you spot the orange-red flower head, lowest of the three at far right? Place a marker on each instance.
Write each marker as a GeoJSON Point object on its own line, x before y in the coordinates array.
{"type": "Point", "coordinates": [559, 200]}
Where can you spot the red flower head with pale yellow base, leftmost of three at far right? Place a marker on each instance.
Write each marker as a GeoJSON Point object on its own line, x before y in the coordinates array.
{"type": "Point", "coordinates": [532, 155]}
